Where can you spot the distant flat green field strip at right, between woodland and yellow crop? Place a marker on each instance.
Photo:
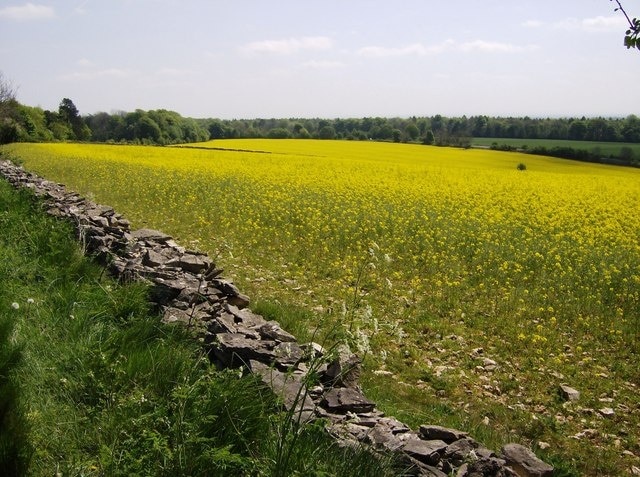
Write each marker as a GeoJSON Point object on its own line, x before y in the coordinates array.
{"type": "Point", "coordinates": [604, 148]}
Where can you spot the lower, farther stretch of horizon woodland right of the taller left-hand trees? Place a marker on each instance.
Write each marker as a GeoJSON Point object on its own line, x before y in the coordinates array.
{"type": "Point", "coordinates": [439, 130]}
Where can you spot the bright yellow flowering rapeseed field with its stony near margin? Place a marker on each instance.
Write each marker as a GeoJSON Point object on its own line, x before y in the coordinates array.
{"type": "Point", "coordinates": [472, 288]}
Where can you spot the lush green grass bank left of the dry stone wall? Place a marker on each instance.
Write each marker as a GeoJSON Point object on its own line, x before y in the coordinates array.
{"type": "Point", "coordinates": [91, 383]}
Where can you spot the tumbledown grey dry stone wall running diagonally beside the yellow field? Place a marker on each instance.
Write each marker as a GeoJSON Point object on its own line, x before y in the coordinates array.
{"type": "Point", "coordinates": [187, 287]}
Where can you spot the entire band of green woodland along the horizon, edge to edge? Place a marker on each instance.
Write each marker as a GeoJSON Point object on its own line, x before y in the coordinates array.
{"type": "Point", "coordinates": [21, 123]}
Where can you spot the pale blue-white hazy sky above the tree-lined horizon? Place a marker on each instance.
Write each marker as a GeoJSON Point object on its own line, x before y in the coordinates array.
{"type": "Point", "coordinates": [244, 59]}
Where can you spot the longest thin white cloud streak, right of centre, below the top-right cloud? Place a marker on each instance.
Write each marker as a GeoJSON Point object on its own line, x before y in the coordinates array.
{"type": "Point", "coordinates": [418, 49]}
